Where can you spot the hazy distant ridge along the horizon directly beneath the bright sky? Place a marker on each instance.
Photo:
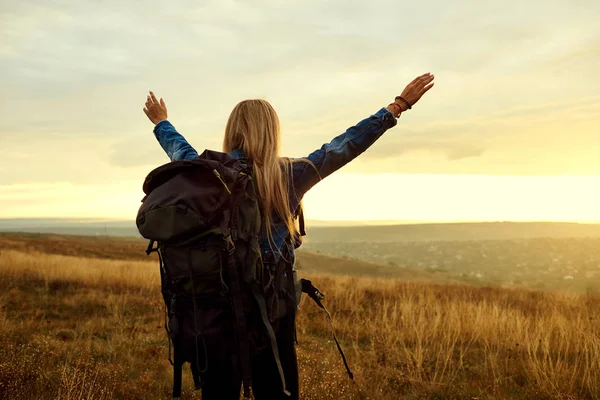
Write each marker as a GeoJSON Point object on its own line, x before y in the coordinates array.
{"type": "Point", "coordinates": [328, 232]}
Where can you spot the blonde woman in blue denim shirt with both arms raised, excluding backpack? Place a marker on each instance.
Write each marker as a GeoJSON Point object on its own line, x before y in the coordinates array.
{"type": "Point", "coordinates": [252, 132]}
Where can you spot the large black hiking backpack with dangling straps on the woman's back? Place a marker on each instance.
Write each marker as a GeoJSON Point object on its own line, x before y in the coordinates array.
{"type": "Point", "coordinates": [202, 217]}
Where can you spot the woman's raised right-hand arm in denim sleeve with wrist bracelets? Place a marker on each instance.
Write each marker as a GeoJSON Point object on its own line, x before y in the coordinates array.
{"type": "Point", "coordinates": [350, 144]}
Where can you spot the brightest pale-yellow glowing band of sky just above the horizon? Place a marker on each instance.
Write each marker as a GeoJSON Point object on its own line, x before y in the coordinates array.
{"type": "Point", "coordinates": [355, 197]}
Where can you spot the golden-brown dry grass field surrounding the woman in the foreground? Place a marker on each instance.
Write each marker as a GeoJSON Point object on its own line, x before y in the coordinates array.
{"type": "Point", "coordinates": [81, 318]}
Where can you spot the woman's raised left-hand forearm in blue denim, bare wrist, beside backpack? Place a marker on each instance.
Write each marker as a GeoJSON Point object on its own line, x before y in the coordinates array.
{"type": "Point", "coordinates": [172, 142]}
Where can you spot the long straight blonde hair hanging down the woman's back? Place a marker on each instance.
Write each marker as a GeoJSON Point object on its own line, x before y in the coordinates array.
{"type": "Point", "coordinates": [253, 127]}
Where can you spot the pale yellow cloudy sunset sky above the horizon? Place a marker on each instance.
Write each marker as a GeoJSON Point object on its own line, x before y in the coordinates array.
{"type": "Point", "coordinates": [510, 131]}
